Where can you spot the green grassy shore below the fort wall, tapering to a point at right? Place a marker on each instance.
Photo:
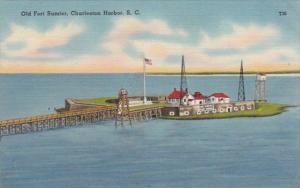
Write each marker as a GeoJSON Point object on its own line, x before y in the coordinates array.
{"type": "Point", "coordinates": [262, 109]}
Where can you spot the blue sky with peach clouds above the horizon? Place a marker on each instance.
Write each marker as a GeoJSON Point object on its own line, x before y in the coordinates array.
{"type": "Point", "coordinates": [213, 36]}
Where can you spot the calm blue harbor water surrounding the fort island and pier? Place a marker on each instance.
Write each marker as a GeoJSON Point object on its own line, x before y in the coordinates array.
{"type": "Point", "coordinates": [233, 153]}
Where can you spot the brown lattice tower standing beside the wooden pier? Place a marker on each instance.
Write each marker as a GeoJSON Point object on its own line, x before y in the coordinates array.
{"type": "Point", "coordinates": [122, 108]}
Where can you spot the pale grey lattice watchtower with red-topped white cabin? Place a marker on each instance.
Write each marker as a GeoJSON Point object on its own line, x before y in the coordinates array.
{"type": "Point", "coordinates": [260, 87]}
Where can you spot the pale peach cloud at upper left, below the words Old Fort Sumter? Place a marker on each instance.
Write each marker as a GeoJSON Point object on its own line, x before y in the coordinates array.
{"type": "Point", "coordinates": [33, 44]}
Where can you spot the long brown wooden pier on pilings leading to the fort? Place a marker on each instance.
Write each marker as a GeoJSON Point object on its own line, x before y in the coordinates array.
{"type": "Point", "coordinates": [71, 118]}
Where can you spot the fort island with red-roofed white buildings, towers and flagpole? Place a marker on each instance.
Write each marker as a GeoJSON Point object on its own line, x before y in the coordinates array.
{"type": "Point", "coordinates": [184, 104]}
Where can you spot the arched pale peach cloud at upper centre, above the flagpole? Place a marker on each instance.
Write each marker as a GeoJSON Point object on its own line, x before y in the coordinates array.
{"type": "Point", "coordinates": [124, 28]}
